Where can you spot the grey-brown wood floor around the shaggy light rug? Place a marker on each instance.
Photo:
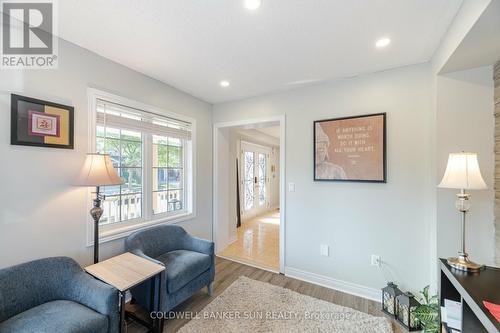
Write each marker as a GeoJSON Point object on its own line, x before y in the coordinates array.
{"type": "Point", "coordinates": [226, 272]}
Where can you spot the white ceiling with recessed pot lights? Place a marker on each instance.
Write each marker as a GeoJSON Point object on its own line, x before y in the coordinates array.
{"type": "Point", "coordinates": [194, 44]}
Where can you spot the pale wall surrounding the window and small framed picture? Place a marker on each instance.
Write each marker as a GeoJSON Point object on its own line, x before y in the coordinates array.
{"type": "Point", "coordinates": [41, 213]}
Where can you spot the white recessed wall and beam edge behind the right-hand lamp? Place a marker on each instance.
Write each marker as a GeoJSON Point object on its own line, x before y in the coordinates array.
{"type": "Point", "coordinates": [462, 119]}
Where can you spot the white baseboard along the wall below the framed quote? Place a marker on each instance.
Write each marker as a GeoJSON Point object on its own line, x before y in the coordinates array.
{"type": "Point", "coordinates": [328, 282]}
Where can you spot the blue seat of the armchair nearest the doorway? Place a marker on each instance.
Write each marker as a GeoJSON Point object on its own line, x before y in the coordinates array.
{"type": "Point", "coordinates": [183, 266]}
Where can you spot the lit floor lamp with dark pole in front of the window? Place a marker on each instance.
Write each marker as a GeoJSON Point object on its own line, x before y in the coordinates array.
{"type": "Point", "coordinates": [98, 171]}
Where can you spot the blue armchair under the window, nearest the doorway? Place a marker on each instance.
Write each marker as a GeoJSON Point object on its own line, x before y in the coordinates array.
{"type": "Point", "coordinates": [189, 263]}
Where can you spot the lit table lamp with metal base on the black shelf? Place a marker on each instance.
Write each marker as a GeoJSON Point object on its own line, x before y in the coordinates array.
{"type": "Point", "coordinates": [462, 172]}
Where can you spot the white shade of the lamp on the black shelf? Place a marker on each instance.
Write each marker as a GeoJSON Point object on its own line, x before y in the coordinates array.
{"type": "Point", "coordinates": [462, 172]}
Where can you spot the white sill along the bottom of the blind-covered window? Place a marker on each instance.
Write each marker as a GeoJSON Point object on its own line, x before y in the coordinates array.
{"type": "Point", "coordinates": [119, 232]}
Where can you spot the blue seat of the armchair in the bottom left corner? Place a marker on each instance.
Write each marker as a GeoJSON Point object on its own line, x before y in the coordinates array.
{"type": "Point", "coordinates": [57, 316]}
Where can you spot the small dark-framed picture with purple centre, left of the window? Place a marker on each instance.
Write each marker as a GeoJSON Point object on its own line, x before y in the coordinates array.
{"type": "Point", "coordinates": [40, 123]}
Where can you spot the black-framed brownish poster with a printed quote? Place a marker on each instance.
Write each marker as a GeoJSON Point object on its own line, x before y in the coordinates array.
{"type": "Point", "coordinates": [351, 149]}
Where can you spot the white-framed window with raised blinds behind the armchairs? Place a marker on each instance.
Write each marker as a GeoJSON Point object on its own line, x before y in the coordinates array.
{"type": "Point", "coordinates": [152, 154]}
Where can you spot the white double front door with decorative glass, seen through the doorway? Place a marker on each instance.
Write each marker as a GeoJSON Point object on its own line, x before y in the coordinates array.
{"type": "Point", "coordinates": [255, 179]}
